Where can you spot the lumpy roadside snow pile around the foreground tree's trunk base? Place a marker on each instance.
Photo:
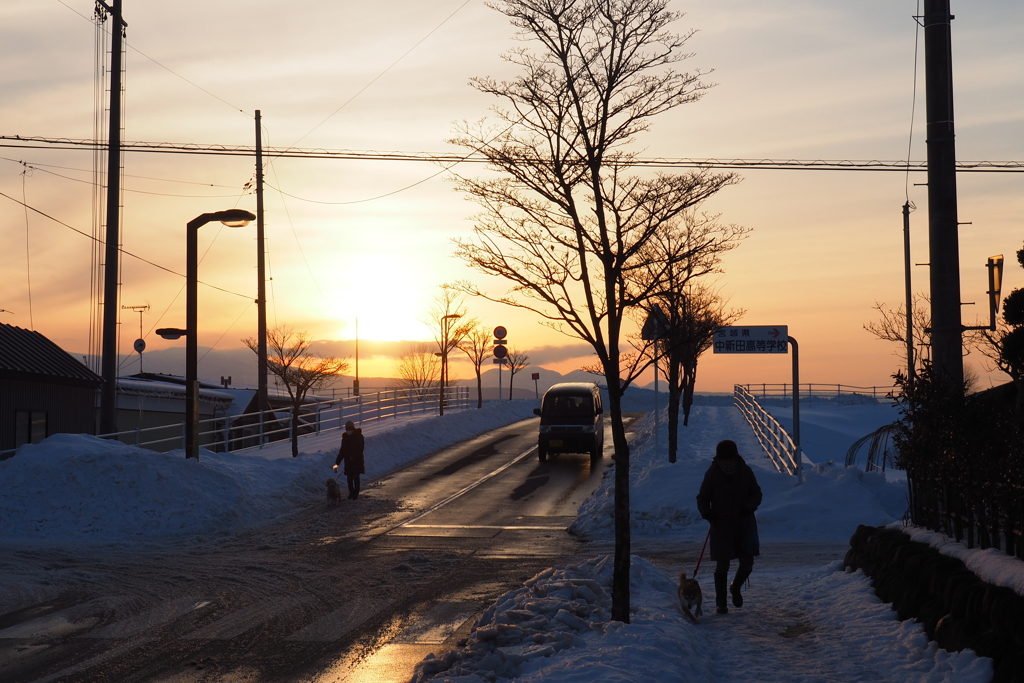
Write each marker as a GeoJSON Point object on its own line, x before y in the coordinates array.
{"type": "Point", "coordinates": [559, 627]}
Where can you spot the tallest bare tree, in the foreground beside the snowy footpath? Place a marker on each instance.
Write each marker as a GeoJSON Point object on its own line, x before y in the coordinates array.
{"type": "Point", "coordinates": [565, 223]}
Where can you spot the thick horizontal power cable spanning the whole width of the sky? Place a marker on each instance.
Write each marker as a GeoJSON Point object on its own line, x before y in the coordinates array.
{"type": "Point", "coordinates": [876, 165]}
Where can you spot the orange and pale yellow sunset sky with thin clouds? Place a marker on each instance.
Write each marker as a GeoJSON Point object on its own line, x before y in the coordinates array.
{"type": "Point", "coordinates": [796, 79]}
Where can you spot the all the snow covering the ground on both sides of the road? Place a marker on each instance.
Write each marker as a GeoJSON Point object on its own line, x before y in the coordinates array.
{"type": "Point", "coordinates": [801, 623]}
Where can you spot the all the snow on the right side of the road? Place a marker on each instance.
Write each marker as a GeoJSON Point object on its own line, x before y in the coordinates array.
{"type": "Point", "coordinates": [800, 623]}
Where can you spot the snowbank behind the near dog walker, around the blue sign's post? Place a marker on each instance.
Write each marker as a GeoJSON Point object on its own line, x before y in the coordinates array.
{"type": "Point", "coordinates": [829, 506]}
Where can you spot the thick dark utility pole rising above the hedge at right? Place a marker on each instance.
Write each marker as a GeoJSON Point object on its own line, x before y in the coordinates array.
{"type": "Point", "coordinates": [948, 341]}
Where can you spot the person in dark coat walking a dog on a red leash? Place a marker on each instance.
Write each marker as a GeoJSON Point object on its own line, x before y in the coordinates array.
{"type": "Point", "coordinates": [729, 497]}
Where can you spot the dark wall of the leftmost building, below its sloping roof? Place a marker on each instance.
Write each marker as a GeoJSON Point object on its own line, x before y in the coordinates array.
{"type": "Point", "coordinates": [69, 409]}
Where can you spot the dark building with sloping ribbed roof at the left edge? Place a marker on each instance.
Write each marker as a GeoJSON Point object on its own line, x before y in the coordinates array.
{"type": "Point", "coordinates": [44, 390]}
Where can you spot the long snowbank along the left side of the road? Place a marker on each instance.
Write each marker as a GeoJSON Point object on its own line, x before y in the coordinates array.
{"type": "Point", "coordinates": [74, 488]}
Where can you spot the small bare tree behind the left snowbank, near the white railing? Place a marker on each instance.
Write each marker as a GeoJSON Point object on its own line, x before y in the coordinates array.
{"type": "Point", "coordinates": [302, 372]}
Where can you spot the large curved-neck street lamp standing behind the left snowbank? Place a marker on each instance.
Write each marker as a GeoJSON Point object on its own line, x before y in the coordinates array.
{"type": "Point", "coordinates": [232, 219]}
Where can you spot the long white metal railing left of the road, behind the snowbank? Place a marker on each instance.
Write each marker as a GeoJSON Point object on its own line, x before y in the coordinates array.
{"type": "Point", "coordinates": [254, 431]}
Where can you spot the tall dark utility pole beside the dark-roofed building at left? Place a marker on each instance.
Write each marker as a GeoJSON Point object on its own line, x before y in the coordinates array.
{"type": "Point", "coordinates": [109, 394]}
